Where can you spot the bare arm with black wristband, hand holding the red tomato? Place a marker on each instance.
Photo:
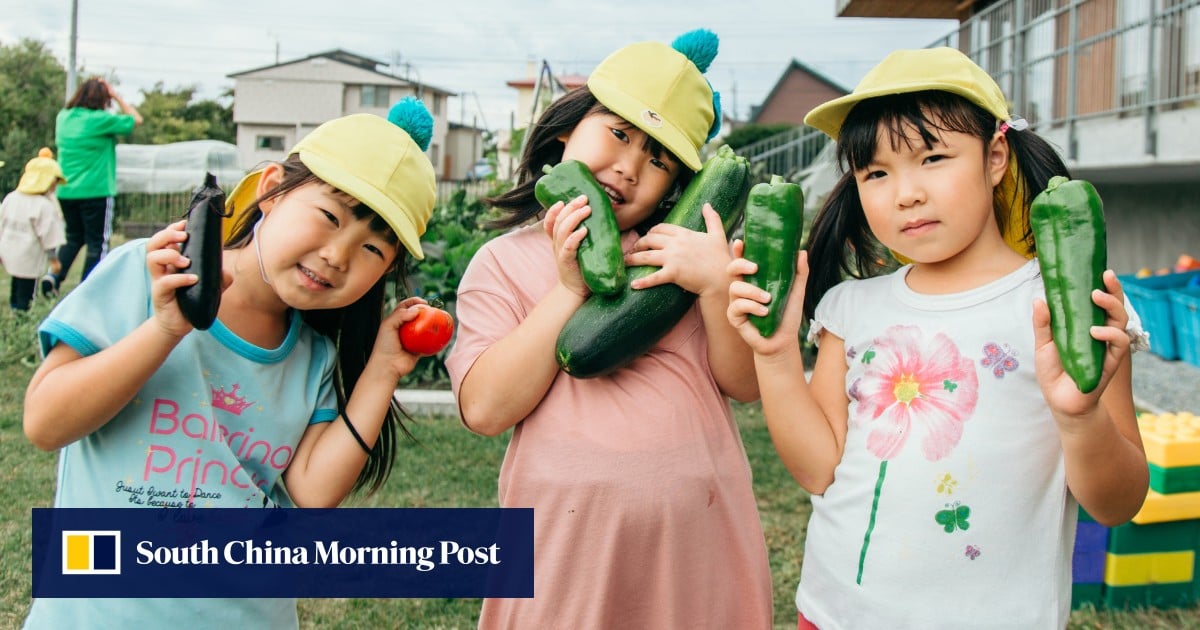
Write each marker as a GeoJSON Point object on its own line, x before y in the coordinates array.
{"type": "Point", "coordinates": [329, 459]}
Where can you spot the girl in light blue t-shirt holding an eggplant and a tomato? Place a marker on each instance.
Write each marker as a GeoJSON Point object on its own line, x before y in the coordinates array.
{"type": "Point", "coordinates": [303, 359]}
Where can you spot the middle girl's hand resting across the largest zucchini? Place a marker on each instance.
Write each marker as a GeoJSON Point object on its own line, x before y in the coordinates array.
{"type": "Point", "coordinates": [695, 261]}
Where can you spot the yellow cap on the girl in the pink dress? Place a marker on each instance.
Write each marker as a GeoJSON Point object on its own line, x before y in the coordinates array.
{"type": "Point", "coordinates": [663, 93]}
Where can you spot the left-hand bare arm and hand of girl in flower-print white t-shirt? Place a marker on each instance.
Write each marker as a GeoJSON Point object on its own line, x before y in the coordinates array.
{"type": "Point", "coordinates": [807, 422]}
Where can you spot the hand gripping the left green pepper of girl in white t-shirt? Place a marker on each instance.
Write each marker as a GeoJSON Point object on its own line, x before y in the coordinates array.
{"type": "Point", "coordinates": [746, 299]}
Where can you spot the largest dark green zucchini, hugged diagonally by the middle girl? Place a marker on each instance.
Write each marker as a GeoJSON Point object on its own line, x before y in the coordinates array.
{"type": "Point", "coordinates": [608, 333]}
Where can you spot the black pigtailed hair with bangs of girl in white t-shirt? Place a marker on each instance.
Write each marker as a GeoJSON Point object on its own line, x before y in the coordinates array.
{"type": "Point", "coordinates": [841, 242]}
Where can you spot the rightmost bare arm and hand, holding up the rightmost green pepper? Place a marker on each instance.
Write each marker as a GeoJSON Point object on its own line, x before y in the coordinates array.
{"type": "Point", "coordinates": [1106, 461]}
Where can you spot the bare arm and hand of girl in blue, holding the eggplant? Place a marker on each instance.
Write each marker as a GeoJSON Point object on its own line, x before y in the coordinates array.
{"type": "Point", "coordinates": [56, 415]}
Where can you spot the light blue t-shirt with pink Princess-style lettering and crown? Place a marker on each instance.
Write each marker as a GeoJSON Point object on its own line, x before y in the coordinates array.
{"type": "Point", "coordinates": [214, 428]}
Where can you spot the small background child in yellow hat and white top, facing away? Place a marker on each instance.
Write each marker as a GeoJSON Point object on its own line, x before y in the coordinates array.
{"type": "Point", "coordinates": [32, 227]}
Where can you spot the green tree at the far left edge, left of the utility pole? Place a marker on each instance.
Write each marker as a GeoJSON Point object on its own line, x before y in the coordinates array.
{"type": "Point", "coordinates": [33, 87]}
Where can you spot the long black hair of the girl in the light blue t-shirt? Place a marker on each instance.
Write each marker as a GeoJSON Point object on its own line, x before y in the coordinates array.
{"type": "Point", "coordinates": [353, 328]}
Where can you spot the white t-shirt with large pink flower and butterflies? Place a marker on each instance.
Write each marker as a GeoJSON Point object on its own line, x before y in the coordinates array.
{"type": "Point", "coordinates": [950, 507]}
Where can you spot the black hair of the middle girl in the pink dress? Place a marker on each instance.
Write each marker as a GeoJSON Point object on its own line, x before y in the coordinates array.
{"type": "Point", "coordinates": [543, 147]}
